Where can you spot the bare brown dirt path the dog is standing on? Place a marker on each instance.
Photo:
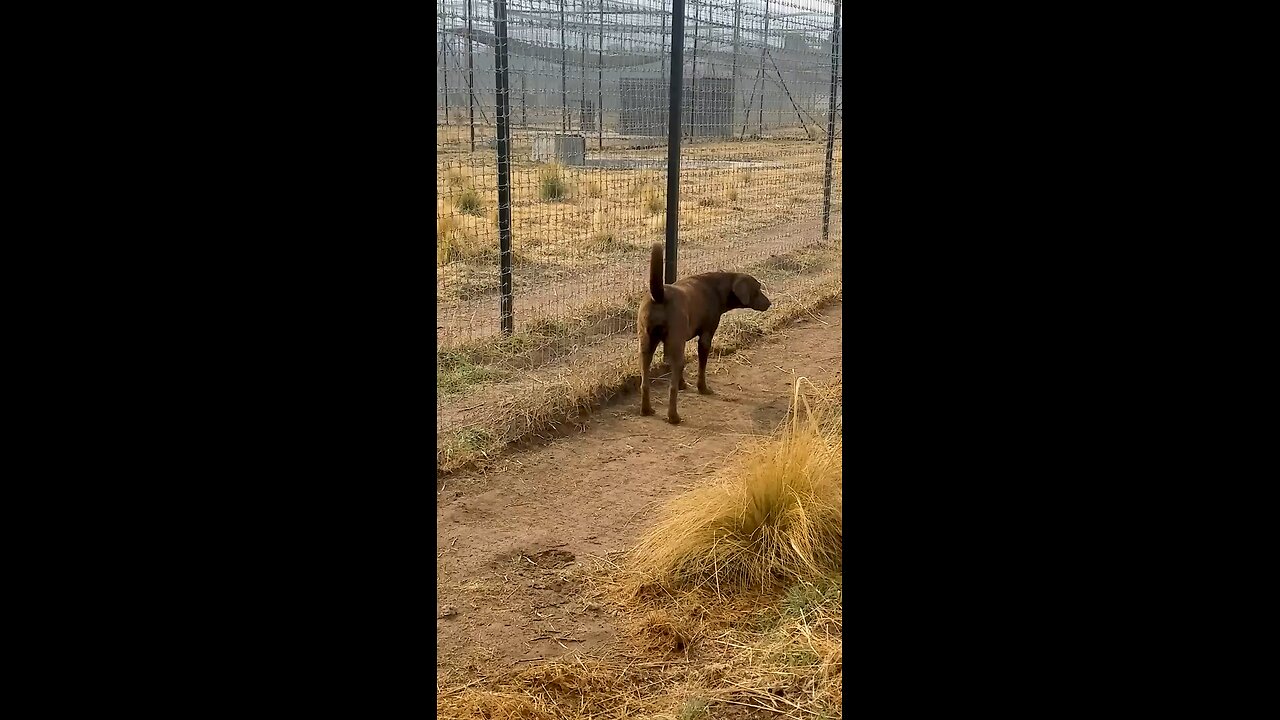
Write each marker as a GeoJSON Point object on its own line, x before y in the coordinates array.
{"type": "Point", "coordinates": [510, 540]}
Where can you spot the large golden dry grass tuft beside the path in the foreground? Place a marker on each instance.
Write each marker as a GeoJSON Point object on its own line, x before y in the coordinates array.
{"type": "Point", "coordinates": [776, 518]}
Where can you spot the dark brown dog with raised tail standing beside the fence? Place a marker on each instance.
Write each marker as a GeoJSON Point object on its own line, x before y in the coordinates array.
{"type": "Point", "coordinates": [674, 315]}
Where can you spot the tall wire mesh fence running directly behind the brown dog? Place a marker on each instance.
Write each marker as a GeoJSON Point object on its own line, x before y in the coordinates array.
{"type": "Point", "coordinates": [587, 108]}
